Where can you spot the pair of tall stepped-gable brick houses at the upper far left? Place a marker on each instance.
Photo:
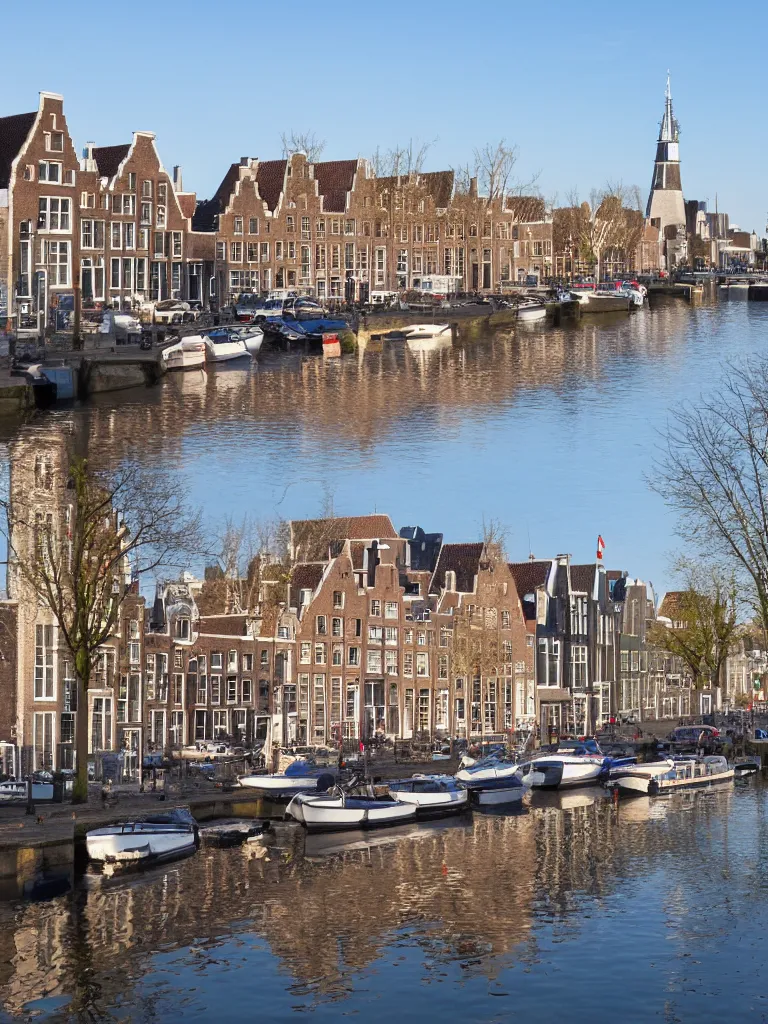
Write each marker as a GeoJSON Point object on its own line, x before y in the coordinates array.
{"type": "Point", "coordinates": [113, 229]}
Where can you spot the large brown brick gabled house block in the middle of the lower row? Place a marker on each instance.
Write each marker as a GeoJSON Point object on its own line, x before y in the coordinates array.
{"type": "Point", "coordinates": [380, 623]}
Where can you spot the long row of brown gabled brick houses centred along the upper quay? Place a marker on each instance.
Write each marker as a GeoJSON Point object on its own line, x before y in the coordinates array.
{"type": "Point", "coordinates": [336, 231]}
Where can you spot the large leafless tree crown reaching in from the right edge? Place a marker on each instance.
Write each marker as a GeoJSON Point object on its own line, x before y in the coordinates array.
{"type": "Point", "coordinates": [713, 471]}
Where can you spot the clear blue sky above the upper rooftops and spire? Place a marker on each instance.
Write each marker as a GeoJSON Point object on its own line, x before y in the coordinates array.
{"type": "Point", "coordinates": [580, 90]}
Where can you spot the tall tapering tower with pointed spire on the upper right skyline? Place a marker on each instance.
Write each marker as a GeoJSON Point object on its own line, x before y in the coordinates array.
{"type": "Point", "coordinates": [666, 208]}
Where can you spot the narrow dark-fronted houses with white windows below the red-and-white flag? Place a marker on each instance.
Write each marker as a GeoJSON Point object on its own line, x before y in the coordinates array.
{"type": "Point", "coordinates": [577, 635]}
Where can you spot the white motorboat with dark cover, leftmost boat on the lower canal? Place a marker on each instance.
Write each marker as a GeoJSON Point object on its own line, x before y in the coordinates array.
{"type": "Point", "coordinates": [161, 837]}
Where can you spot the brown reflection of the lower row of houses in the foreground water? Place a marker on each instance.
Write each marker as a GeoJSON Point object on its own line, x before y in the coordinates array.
{"type": "Point", "coordinates": [471, 891]}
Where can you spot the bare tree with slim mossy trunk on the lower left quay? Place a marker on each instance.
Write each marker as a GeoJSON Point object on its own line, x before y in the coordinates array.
{"type": "Point", "coordinates": [82, 559]}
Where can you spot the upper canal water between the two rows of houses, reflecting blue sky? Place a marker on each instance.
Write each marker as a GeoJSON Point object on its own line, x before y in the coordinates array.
{"type": "Point", "coordinates": [550, 431]}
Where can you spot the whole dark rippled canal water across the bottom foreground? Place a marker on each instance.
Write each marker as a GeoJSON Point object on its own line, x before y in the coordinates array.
{"type": "Point", "coordinates": [571, 909]}
